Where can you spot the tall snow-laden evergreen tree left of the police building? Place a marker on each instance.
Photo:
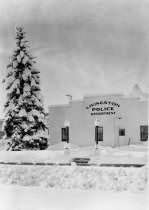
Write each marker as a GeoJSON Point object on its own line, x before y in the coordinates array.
{"type": "Point", "coordinates": [25, 123]}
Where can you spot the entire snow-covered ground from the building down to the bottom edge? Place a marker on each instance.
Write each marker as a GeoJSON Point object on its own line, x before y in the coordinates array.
{"type": "Point", "coordinates": [74, 187]}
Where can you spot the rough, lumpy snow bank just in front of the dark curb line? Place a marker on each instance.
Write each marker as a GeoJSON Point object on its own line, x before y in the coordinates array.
{"type": "Point", "coordinates": [75, 177]}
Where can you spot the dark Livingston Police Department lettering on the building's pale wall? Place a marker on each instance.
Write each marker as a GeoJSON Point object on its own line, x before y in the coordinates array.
{"type": "Point", "coordinates": [103, 108]}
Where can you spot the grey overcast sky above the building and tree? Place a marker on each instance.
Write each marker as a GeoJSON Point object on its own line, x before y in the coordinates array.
{"type": "Point", "coordinates": [82, 46]}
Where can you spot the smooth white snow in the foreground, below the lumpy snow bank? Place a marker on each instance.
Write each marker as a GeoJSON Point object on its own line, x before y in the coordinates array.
{"type": "Point", "coordinates": [40, 198]}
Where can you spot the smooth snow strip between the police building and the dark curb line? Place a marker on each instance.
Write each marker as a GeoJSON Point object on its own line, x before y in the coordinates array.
{"type": "Point", "coordinates": [55, 154]}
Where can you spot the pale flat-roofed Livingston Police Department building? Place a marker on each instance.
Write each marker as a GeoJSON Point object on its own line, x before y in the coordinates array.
{"type": "Point", "coordinates": [112, 119]}
